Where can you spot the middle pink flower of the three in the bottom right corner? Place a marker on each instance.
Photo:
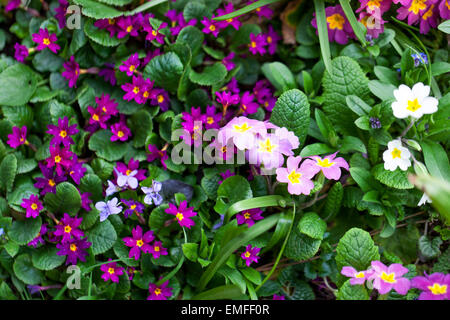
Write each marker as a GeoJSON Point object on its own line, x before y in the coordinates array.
{"type": "Point", "coordinates": [387, 278]}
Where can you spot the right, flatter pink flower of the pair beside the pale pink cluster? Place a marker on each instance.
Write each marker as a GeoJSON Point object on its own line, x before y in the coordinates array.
{"type": "Point", "coordinates": [329, 165]}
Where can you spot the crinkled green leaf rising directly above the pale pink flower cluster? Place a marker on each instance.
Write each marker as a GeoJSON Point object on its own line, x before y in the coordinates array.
{"type": "Point", "coordinates": [292, 112]}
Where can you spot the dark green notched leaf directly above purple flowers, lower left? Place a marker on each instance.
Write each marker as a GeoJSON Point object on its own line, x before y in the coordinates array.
{"type": "Point", "coordinates": [66, 199]}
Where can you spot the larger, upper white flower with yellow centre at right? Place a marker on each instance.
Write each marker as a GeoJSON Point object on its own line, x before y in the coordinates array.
{"type": "Point", "coordinates": [413, 102]}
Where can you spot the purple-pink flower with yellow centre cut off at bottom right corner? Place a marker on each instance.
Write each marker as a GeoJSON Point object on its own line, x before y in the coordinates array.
{"type": "Point", "coordinates": [435, 286]}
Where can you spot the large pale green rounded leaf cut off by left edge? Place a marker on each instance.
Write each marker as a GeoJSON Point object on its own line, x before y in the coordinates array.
{"type": "Point", "coordinates": [17, 85]}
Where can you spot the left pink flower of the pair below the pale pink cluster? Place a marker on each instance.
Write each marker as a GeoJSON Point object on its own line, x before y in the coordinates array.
{"type": "Point", "coordinates": [298, 178]}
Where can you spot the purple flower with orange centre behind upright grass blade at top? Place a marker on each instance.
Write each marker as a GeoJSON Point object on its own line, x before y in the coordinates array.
{"type": "Point", "coordinates": [339, 29]}
